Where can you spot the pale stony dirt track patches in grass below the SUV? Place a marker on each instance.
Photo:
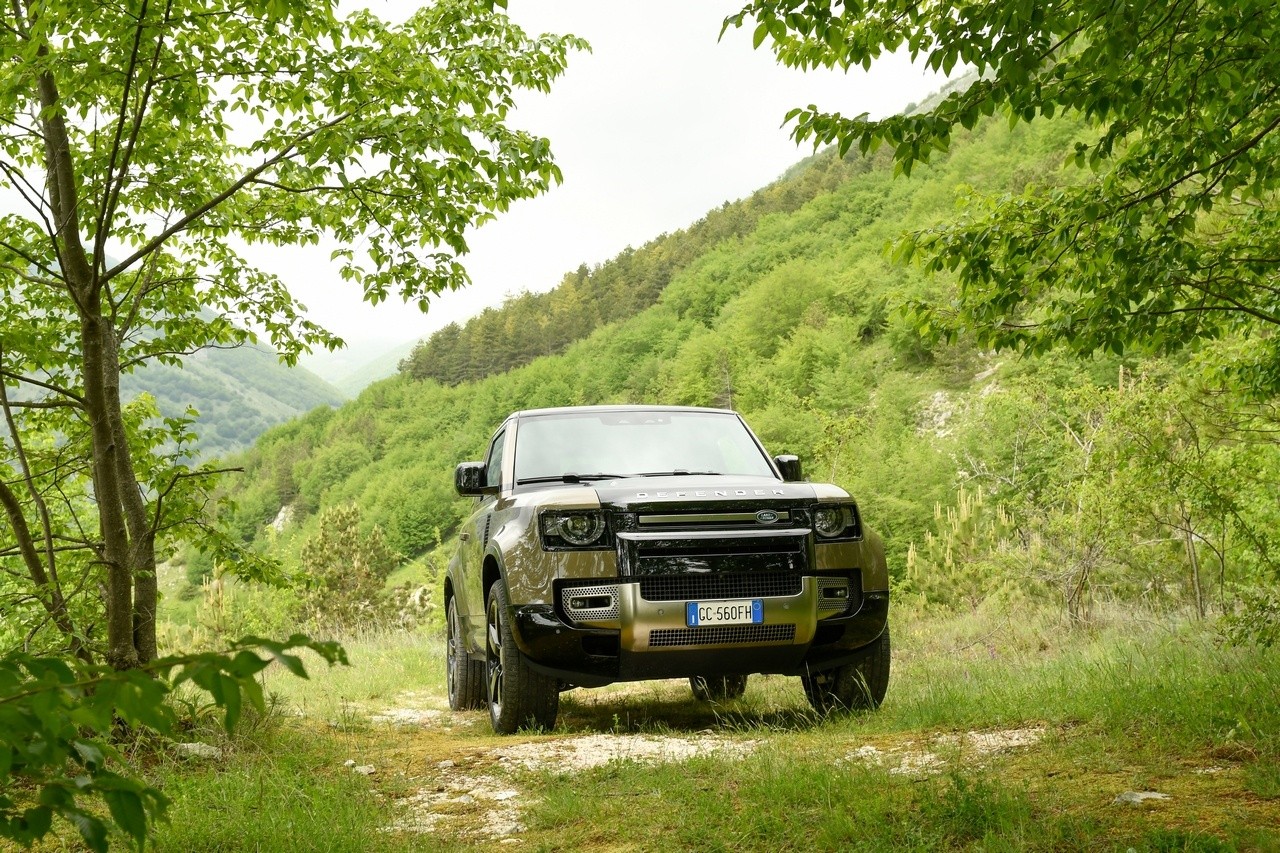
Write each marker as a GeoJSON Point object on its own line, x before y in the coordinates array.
{"type": "Point", "coordinates": [450, 776]}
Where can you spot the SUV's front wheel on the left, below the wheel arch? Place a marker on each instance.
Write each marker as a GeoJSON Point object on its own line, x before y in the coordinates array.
{"type": "Point", "coordinates": [519, 696]}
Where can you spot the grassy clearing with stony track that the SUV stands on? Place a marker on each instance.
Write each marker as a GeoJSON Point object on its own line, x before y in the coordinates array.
{"type": "Point", "coordinates": [999, 733]}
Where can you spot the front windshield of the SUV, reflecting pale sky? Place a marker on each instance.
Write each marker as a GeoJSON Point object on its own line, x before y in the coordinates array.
{"type": "Point", "coordinates": [636, 444]}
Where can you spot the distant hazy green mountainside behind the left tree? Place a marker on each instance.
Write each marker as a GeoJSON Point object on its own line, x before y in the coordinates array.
{"type": "Point", "coordinates": [239, 394]}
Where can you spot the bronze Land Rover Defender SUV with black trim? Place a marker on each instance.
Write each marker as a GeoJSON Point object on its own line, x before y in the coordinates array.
{"type": "Point", "coordinates": [624, 544]}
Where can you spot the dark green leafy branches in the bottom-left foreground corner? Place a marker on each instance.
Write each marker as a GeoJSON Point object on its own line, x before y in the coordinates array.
{"type": "Point", "coordinates": [60, 722]}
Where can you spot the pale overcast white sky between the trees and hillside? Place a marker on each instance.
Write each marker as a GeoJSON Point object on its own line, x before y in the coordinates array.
{"type": "Point", "coordinates": [653, 129]}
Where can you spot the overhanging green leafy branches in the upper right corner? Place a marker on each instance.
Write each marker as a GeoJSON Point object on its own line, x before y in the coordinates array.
{"type": "Point", "coordinates": [1172, 232]}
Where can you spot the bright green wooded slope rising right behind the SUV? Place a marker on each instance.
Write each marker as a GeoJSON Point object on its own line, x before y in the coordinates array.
{"type": "Point", "coordinates": [990, 476]}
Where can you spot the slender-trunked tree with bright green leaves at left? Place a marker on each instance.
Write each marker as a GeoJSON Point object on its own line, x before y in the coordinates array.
{"type": "Point", "coordinates": [144, 148]}
